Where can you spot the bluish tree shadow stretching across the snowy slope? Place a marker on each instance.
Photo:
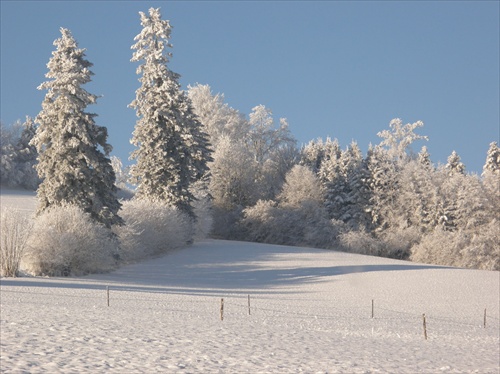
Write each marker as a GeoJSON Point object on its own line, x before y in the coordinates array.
{"type": "Point", "coordinates": [214, 266]}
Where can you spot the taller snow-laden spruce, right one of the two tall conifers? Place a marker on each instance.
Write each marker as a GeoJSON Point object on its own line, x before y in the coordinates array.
{"type": "Point", "coordinates": [172, 150]}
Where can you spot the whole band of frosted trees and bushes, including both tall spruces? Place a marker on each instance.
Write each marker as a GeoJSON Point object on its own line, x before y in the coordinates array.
{"type": "Point", "coordinates": [203, 167]}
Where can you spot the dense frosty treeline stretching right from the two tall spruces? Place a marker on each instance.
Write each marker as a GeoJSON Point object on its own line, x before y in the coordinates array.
{"type": "Point", "coordinates": [390, 202]}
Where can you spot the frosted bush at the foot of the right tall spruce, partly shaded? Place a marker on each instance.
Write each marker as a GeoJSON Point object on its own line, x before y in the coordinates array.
{"type": "Point", "coordinates": [151, 229]}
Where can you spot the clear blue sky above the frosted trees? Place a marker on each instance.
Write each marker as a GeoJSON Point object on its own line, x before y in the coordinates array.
{"type": "Point", "coordinates": [332, 68]}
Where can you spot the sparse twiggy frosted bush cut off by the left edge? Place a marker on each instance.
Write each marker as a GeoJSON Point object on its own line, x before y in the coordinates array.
{"type": "Point", "coordinates": [15, 229]}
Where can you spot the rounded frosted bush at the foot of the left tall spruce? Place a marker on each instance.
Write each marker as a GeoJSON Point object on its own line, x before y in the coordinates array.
{"type": "Point", "coordinates": [66, 241]}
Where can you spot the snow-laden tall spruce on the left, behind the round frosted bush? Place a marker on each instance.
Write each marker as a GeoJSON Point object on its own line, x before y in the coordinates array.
{"type": "Point", "coordinates": [73, 151]}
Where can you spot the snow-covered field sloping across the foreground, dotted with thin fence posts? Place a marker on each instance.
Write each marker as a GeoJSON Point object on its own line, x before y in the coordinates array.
{"type": "Point", "coordinates": [310, 312]}
